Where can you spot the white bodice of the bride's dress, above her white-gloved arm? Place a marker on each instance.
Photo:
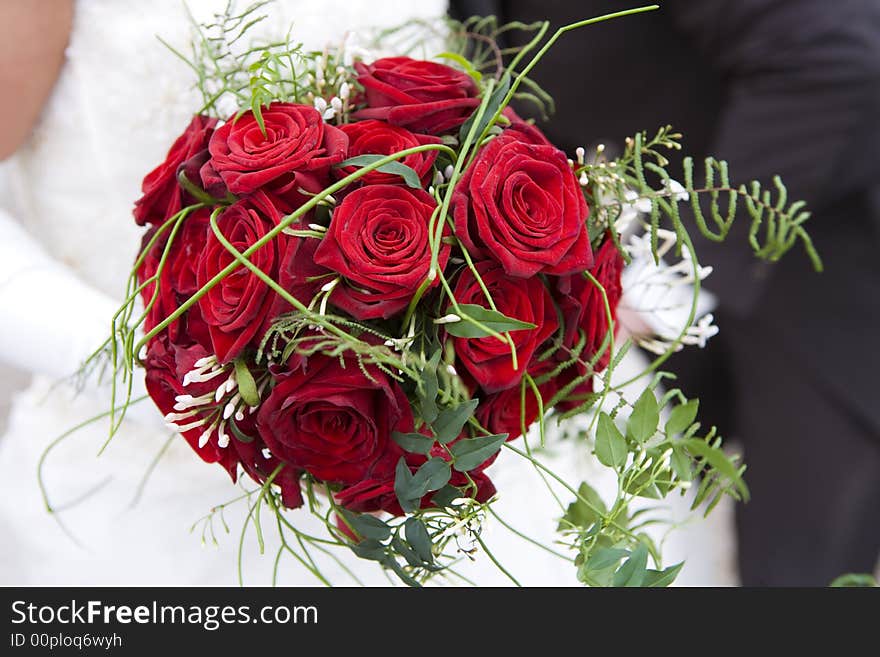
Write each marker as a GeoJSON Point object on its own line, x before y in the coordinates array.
{"type": "Point", "coordinates": [120, 101]}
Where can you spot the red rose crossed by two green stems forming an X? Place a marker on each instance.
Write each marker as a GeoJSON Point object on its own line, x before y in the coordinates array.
{"type": "Point", "coordinates": [237, 307]}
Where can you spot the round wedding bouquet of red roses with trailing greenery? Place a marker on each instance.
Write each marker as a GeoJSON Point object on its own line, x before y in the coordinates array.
{"type": "Point", "coordinates": [367, 279]}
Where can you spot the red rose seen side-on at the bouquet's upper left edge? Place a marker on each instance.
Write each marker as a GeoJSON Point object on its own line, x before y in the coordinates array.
{"type": "Point", "coordinates": [163, 197]}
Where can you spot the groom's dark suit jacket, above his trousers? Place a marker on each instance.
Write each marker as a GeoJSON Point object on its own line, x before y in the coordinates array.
{"type": "Point", "coordinates": [789, 87]}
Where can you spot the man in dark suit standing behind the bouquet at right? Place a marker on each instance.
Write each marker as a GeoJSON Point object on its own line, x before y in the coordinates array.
{"type": "Point", "coordinates": [789, 87]}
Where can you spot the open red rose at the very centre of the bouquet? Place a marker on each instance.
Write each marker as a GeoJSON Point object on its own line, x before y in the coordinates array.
{"type": "Point", "coordinates": [378, 242]}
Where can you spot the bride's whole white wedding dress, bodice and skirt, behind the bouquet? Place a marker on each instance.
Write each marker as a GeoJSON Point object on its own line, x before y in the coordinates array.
{"type": "Point", "coordinates": [120, 101]}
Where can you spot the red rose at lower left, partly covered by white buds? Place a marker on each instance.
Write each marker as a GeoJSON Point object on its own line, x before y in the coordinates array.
{"type": "Point", "coordinates": [166, 365]}
